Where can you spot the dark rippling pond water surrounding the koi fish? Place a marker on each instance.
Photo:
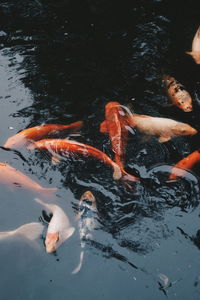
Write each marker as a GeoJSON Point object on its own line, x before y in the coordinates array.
{"type": "Point", "coordinates": [62, 61]}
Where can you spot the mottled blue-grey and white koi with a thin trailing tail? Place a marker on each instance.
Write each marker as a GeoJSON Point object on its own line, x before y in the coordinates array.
{"type": "Point", "coordinates": [86, 212]}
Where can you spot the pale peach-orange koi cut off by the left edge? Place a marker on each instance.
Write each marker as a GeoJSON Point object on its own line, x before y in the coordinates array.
{"type": "Point", "coordinates": [15, 178]}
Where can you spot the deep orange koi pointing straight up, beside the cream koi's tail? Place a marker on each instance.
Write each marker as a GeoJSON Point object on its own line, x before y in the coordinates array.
{"type": "Point", "coordinates": [116, 126]}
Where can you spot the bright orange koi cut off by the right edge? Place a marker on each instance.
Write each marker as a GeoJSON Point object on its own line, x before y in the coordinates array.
{"type": "Point", "coordinates": [186, 163]}
